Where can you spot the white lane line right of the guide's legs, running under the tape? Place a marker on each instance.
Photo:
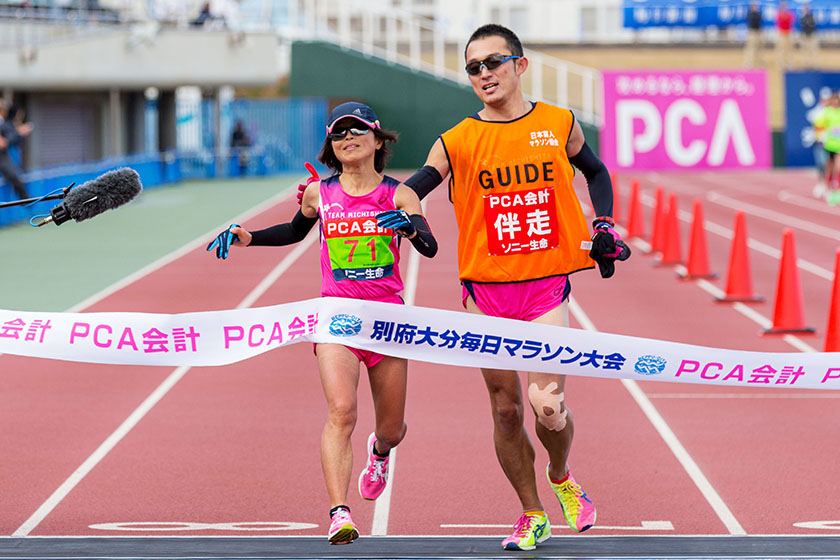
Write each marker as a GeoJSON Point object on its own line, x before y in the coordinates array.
{"type": "Point", "coordinates": [706, 489]}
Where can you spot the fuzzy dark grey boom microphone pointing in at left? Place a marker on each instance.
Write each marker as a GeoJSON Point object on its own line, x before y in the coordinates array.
{"type": "Point", "coordinates": [107, 191]}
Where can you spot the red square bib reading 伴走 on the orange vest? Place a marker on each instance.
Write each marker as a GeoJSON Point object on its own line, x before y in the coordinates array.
{"type": "Point", "coordinates": [521, 222]}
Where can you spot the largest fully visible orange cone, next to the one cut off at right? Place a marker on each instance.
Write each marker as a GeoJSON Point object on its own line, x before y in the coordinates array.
{"type": "Point", "coordinates": [787, 314]}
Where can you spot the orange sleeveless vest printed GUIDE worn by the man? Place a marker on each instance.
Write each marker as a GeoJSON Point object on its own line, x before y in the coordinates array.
{"type": "Point", "coordinates": [511, 185]}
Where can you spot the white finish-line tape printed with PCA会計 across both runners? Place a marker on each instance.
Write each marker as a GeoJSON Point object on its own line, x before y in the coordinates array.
{"type": "Point", "coordinates": [215, 338]}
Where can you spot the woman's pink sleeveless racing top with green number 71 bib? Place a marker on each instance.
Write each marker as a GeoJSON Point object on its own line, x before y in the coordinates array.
{"type": "Point", "coordinates": [358, 259]}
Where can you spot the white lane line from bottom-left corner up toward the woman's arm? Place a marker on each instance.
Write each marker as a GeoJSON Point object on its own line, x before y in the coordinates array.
{"type": "Point", "coordinates": [134, 418]}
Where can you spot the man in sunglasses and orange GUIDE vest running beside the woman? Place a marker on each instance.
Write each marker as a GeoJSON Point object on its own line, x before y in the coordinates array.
{"type": "Point", "coordinates": [521, 233]}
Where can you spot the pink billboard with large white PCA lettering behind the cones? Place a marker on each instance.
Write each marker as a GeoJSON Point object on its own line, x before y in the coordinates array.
{"type": "Point", "coordinates": [708, 119]}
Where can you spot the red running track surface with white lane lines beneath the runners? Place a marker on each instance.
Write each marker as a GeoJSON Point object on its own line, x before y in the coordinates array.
{"type": "Point", "coordinates": [234, 450]}
